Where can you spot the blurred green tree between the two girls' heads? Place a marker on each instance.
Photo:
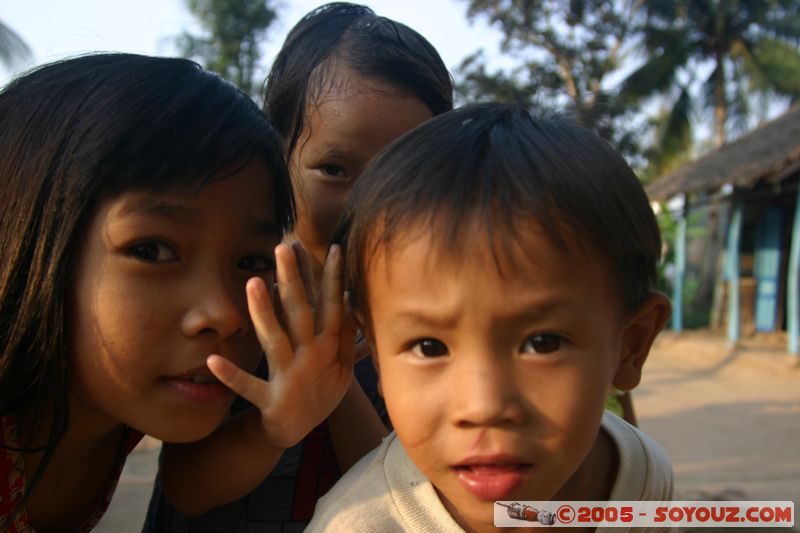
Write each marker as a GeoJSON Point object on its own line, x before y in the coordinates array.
{"type": "Point", "coordinates": [233, 31]}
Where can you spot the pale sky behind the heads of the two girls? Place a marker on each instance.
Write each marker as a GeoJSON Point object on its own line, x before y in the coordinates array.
{"type": "Point", "coordinates": [59, 28]}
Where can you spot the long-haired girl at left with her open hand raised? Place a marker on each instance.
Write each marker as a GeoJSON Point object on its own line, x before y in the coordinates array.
{"type": "Point", "coordinates": [140, 195]}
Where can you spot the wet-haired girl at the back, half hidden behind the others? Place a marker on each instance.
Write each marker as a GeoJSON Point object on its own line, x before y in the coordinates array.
{"type": "Point", "coordinates": [344, 85]}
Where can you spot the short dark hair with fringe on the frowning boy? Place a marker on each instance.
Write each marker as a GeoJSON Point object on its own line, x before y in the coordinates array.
{"type": "Point", "coordinates": [496, 166]}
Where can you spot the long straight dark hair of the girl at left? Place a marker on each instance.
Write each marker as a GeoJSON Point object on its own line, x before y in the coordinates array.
{"type": "Point", "coordinates": [76, 133]}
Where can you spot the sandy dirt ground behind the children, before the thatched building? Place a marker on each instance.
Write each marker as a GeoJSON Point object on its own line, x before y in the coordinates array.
{"type": "Point", "coordinates": [729, 419]}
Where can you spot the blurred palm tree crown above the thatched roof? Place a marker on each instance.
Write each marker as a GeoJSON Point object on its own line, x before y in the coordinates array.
{"type": "Point", "coordinates": [733, 49]}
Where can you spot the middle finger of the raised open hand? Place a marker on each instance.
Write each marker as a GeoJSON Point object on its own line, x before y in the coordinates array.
{"type": "Point", "coordinates": [299, 315]}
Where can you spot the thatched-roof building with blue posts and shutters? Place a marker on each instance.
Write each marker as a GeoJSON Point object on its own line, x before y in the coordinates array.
{"type": "Point", "coordinates": [748, 191]}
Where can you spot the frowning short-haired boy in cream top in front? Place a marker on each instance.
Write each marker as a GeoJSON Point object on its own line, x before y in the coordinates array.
{"type": "Point", "coordinates": [503, 268]}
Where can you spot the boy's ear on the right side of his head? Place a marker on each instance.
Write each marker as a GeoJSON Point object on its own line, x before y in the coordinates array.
{"type": "Point", "coordinates": [640, 331]}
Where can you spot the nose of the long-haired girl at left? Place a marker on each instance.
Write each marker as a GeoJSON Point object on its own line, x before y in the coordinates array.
{"type": "Point", "coordinates": [219, 308]}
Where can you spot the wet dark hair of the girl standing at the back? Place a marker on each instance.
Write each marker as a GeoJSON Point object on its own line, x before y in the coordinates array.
{"type": "Point", "coordinates": [374, 46]}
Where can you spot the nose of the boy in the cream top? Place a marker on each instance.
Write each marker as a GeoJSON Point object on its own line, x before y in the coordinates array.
{"type": "Point", "coordinates": [487, 395]}
